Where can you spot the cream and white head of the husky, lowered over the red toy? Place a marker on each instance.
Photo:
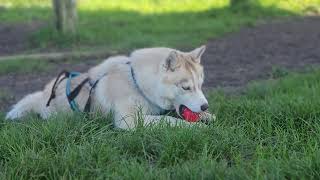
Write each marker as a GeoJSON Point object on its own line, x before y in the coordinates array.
{"type": "Point", "coordinates": [183, 77]}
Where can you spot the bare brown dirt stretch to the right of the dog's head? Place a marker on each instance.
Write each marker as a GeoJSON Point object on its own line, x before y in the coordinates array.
{"type": "Point", "coordinates": [251, 53]}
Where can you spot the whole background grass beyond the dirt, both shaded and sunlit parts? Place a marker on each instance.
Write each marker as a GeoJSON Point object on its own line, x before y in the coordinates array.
{"type": "Point", "coordinates": [128, 24]}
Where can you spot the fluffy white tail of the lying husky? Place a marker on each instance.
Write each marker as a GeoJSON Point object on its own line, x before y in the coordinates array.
{"type": "Point", "coordinates": [31, 103]}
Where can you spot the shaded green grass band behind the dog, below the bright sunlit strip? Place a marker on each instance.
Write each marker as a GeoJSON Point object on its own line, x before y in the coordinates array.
{"type": "Point", "coordinates": [128, 29]}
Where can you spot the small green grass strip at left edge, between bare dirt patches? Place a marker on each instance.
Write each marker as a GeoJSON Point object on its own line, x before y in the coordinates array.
{"type": "Point", "coordinates": [24, 66]}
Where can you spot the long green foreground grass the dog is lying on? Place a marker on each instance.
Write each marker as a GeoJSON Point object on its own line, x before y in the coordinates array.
{"type": "Point", "coordinates": [272, 131]}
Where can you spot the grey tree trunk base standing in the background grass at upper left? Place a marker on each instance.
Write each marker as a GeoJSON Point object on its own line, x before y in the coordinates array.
{"type": "Point", "coordinates": [65, 15]}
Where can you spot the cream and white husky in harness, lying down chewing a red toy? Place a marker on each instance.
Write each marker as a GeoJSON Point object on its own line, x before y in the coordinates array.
{"type": "Point", "coordinates": [153, 80]}
